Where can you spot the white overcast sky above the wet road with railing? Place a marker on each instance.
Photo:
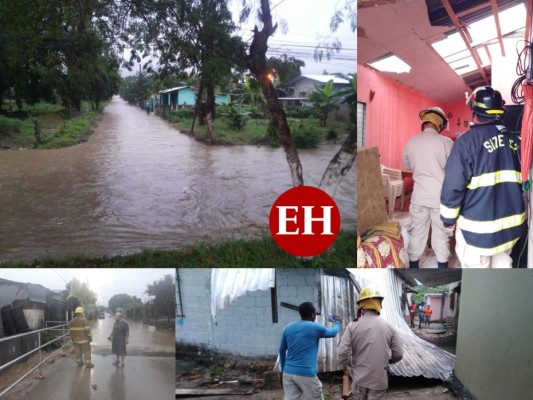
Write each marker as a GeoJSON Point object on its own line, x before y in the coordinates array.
{"type": "Point", "coordinates": [105, 282]}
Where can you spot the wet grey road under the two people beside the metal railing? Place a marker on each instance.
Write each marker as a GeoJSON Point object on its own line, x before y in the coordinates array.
{"type": "Point", "coordinates": [148, 372]}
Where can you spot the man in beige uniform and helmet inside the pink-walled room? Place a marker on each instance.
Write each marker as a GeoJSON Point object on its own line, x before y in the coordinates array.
{"type": "Point", "coordinates": [426, 154]}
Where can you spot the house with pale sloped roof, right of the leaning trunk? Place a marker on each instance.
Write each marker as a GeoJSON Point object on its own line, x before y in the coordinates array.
{"type": "Point", "coordinates": [297, 89]}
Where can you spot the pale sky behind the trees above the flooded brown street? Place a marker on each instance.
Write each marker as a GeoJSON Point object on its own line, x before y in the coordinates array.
{"type": "Point", "coordinates": [308, 24]}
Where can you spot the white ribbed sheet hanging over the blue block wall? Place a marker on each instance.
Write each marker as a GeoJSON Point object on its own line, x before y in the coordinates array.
{"type": "Point", "coordinates": [227, 284]}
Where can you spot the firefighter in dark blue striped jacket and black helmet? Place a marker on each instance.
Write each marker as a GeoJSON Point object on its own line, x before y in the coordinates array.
{"type": "Point", "coordinates": [482, 188]}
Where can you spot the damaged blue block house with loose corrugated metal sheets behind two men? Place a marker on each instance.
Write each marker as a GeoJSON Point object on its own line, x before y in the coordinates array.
{"type": "Point", "coordinates": [243, 312]}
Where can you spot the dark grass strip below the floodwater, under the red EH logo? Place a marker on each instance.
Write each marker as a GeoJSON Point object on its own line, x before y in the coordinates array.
{"type": "Point", "coordinates": [228, 253]}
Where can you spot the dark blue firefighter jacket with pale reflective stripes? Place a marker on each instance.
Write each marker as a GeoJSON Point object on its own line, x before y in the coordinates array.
{"type": "Point", "coordinates": [482, 189]}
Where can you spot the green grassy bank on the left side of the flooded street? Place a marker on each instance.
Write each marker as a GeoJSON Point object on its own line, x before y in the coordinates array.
{"type": "Point", "coordinates": [46, 126]}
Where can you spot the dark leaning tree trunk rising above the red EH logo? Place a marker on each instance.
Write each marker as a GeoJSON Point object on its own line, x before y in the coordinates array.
{"type": "Point", "coordinates": [256, 62]}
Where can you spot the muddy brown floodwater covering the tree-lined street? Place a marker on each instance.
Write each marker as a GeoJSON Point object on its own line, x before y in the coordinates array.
{"type": "Point", "coordinates": [138, 183]}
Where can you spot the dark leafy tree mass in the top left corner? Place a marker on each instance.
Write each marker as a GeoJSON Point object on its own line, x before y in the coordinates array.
{"type": "Point", "coordinates": [57, 48]}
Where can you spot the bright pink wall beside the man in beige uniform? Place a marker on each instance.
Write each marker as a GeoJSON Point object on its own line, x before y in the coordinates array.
{"type": "Point", "coordinates": [391, 114]}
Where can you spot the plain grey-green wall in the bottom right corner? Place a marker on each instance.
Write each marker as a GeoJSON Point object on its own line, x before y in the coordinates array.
{"type": "Point", "coordinates": [494, 355]}
